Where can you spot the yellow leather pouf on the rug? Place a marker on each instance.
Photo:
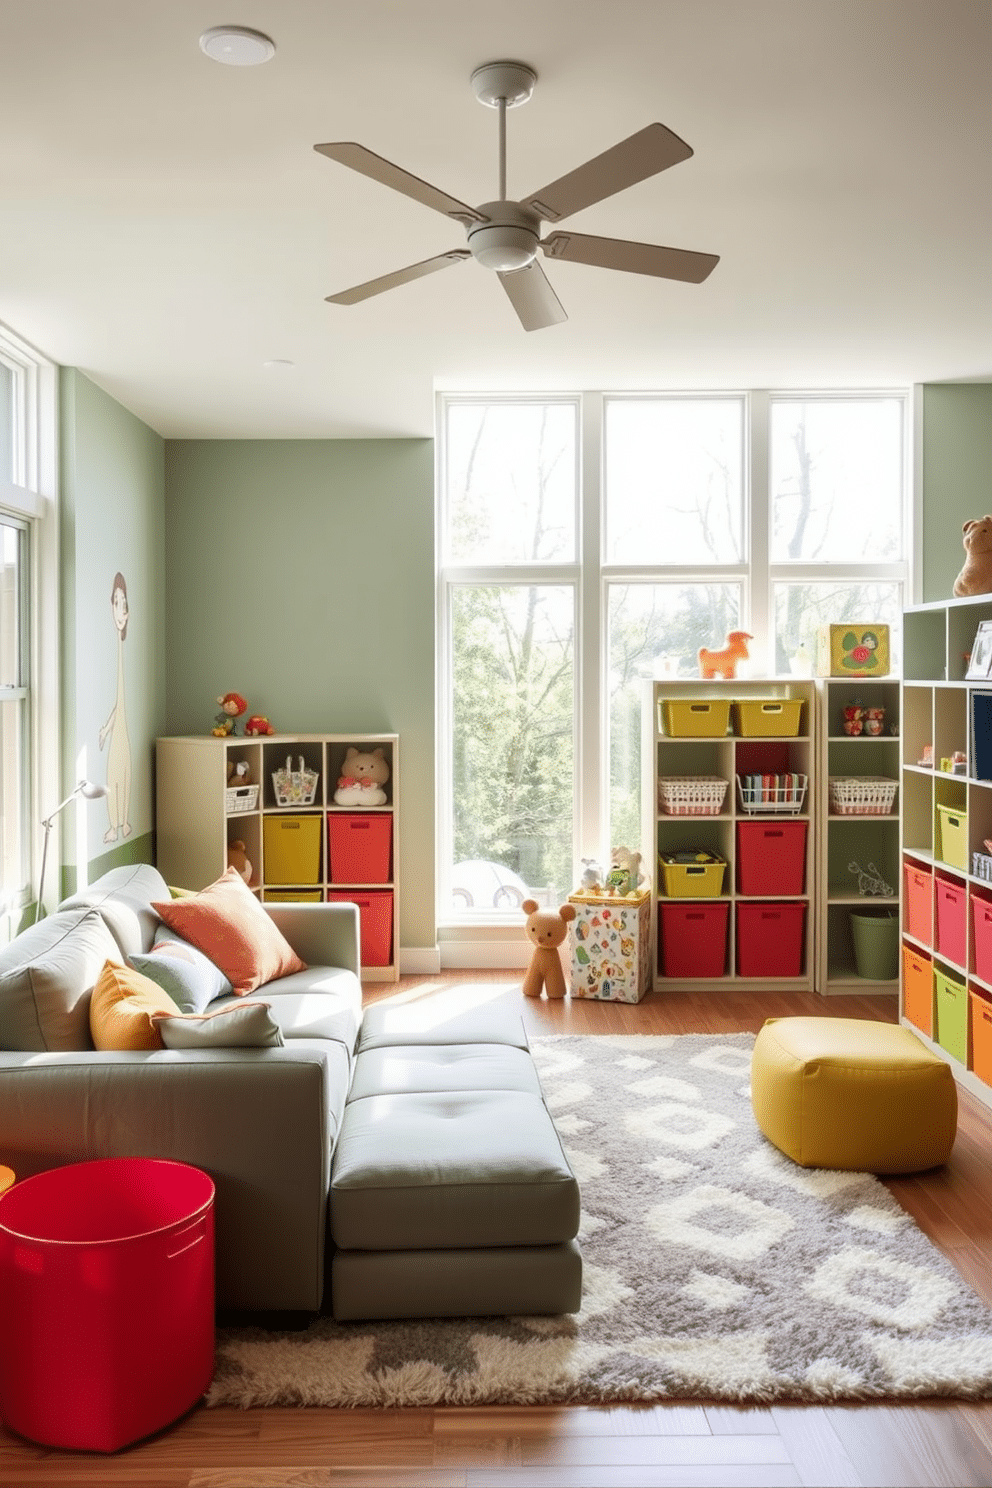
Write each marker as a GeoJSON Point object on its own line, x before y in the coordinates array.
{"type": "Point", "coordinates": [844, 1093]}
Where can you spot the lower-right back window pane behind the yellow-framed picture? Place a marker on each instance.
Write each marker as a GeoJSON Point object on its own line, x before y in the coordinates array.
{"type": "Point", "coordinates": [801, 609]}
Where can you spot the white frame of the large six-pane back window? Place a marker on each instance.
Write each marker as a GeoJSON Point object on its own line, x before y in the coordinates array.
{"type": "Point", "coordinates": [480, 941]}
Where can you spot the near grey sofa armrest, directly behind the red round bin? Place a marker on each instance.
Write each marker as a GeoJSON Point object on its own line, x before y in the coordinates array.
{"type": "Point", "coordinates": [263, 1123]}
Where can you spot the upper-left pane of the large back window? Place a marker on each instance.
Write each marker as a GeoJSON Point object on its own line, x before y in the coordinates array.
{"type": "Point", "coordinates": [511, 483]}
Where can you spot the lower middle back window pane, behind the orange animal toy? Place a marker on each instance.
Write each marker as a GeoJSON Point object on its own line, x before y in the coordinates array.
{"type": "Point", "coordinates": [655, 632]}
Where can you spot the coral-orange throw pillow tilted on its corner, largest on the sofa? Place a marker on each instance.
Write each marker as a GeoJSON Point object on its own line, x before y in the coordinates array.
{"type": "Point", "coordinates": [230, 926]}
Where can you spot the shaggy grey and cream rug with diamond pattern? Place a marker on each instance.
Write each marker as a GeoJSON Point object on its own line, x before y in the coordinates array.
{"type": "Point", "coordinates": [715, 1269]}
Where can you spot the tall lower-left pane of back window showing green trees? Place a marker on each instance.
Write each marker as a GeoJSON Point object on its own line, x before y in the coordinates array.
{"type": "Point", "coordinates": [514, 761]}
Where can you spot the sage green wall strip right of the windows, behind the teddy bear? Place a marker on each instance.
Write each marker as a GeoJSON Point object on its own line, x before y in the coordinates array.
{"type": "Point", "coordinates": [957, 475]}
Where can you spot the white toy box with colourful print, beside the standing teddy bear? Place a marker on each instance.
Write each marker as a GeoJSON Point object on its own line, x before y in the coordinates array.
{"type": "Point", "coordinates": [611, 953]}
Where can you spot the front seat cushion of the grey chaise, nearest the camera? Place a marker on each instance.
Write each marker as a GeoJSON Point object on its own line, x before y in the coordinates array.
{"type": "Point", "coordinates": [459, 1169]}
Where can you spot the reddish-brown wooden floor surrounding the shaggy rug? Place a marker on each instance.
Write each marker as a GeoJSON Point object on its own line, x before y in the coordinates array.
{"type": "Point", "coordinates": [643, 1447]}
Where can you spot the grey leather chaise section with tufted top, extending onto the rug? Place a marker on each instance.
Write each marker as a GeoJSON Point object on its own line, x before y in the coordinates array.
{"type": "Point", "coordinates": [451, 1194]}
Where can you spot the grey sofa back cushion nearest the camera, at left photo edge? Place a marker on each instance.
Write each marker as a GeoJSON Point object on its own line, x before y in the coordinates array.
{"type": "Point", "coordinates": [47, 977]}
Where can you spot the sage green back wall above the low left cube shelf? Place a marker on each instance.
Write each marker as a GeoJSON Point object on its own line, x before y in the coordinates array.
{"type": "Point", "coordinates": [301, 574]}
